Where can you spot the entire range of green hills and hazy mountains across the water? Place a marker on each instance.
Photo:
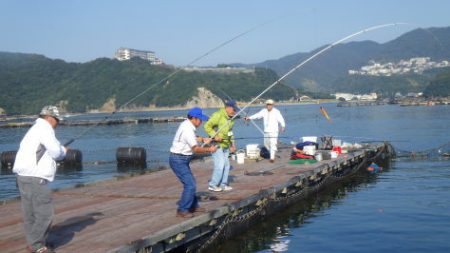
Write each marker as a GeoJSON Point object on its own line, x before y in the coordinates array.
{"type": "Point", "coordinates": [29, 81]}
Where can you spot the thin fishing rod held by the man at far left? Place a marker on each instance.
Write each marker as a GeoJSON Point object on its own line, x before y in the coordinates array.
{"type": "Point", "coordinates": [171, 75]}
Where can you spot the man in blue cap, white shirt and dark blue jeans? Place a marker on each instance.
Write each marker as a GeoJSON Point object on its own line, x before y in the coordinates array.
{"type": "Point", "coordinates": [184, 145]}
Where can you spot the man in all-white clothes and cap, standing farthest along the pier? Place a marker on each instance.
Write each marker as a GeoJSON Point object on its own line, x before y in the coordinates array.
{"type": "Point", "coordinates": [273, 120]}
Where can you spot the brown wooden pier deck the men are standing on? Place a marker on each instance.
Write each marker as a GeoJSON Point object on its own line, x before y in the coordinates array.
{"type": "Point", "coordinates": [137, 214]}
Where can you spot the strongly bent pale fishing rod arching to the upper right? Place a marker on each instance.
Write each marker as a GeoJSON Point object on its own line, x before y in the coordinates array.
{"type": "Point", "coordinates": [306, 61]}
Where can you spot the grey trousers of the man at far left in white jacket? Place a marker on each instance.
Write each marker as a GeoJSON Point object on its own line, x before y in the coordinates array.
{"type": "Point", "coordinates": [37, 209]}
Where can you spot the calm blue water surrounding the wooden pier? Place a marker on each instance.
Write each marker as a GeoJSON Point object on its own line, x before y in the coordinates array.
{"type": "Point", "coordinates": [404, 209]}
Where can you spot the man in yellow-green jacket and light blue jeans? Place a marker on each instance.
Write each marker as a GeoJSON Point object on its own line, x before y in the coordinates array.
{"type": "Point", "coordinates": [220, 126]}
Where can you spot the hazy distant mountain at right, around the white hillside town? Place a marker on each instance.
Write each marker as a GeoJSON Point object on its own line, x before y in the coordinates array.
{"type": "Point", "coordinates": [329, 71]}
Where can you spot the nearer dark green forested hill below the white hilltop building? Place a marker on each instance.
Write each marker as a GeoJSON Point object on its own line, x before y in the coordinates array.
{"type": "Point", "coordinates": [30, 81]}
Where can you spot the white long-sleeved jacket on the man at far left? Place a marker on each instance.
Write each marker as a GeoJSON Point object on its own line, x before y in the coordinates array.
{"type": "Point", "coordinates": [26, 163]}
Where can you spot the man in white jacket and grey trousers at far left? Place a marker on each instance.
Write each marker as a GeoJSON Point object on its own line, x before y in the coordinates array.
{"type": "Point", "coordinates": [35, 166]}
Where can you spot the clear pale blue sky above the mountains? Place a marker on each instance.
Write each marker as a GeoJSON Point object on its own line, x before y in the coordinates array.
{"type": "Point", "coordinates": [180, 31]}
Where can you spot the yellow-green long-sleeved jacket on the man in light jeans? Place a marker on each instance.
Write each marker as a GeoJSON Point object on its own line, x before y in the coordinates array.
{"type": "Point", "coordinates": [220, 121]}
